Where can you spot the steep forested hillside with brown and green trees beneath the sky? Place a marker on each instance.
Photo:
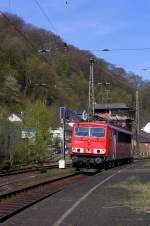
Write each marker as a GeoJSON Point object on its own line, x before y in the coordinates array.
{"type": "Point", "coordinates": [58, 77]}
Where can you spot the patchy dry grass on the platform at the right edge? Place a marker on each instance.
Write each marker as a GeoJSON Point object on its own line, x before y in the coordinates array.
{"type": "Point", "coordinates": [139, 194]}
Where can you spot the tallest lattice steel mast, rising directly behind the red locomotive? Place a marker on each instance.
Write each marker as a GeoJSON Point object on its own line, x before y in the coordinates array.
{"type": "Point", "coordinates": [91, 103]}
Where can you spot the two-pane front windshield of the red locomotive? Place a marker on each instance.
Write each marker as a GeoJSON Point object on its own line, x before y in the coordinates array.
{"type": "Point", "coordinates": [89, 132]}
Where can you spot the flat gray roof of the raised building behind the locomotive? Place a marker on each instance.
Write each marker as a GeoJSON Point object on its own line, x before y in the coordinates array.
{"type": "Point", "coordinates": [112, 106]}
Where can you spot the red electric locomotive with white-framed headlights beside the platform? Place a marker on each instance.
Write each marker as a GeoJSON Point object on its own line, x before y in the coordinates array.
{"type": "Point", "coordinates": [96, 145]}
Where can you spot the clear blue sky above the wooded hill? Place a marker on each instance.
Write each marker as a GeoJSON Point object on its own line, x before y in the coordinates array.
{"type": "Point", "coordinates": [95, 25]}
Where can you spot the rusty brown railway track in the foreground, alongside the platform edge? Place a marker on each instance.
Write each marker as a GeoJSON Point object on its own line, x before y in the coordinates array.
{"type": "Point", "coordinates": [14, 202]}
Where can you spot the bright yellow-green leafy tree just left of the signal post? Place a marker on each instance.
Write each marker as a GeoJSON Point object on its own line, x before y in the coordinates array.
{"type": "Point", "coordinates": [37, 117]}
